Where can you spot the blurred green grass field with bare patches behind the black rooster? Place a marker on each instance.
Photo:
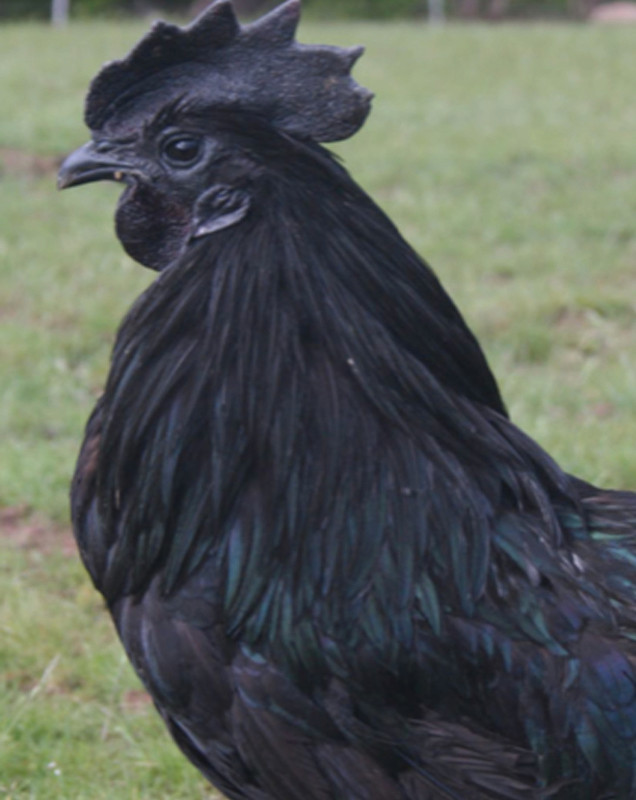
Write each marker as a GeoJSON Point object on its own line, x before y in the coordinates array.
{"type": "Point", "coordinates": [507, 155]}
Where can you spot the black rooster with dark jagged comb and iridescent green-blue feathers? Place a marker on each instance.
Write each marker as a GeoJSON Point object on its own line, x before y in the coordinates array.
{"type": "Point", "coordinates": [339, 569]}
